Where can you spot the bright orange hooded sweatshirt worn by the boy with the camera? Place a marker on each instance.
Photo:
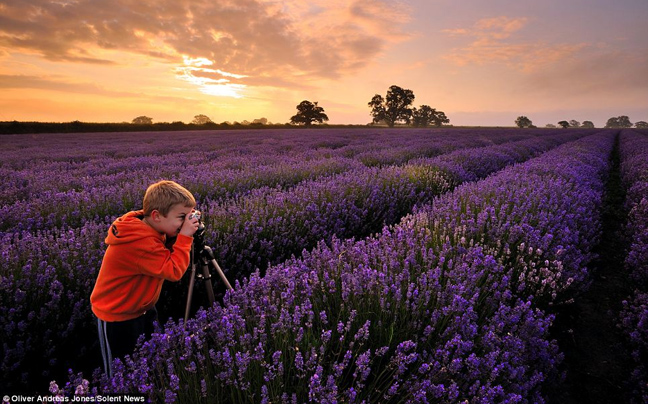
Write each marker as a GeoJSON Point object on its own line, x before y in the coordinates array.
{"type": "Point", "coordinates": [134, 268]}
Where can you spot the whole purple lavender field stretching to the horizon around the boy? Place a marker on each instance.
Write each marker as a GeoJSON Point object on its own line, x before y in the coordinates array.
{"type": "Point", "coordinates": [370, 265]}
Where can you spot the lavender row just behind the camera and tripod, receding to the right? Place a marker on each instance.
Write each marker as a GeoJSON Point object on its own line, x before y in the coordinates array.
{"type": "Point", "coordinates": [268, 226]}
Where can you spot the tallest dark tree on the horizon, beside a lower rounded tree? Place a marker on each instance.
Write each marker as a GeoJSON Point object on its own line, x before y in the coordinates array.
{"type": "Point", "coordinates": [395, 107]}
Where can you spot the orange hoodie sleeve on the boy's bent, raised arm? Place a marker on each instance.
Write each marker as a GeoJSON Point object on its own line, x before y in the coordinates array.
{"type": "Point", "coordinates": [159, 262]}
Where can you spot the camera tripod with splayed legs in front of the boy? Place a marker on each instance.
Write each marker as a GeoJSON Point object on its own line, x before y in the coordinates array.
{"type": "Point", "coordinates": [203, 255]}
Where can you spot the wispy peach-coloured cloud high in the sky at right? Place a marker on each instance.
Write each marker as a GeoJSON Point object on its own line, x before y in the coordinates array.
{"type": "Point", "coordinates": [492, 44]}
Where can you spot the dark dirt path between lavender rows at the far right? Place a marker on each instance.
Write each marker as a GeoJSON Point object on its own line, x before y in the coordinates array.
{"type": "Point", "coordinates": [596, 362]}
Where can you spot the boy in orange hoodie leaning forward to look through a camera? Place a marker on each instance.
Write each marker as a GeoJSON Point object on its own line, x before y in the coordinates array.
{"type": "Point", "coordinates": [141, 254]}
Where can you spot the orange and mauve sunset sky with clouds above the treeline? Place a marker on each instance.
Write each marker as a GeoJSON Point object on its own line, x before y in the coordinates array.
{"type": "Point", "coordinates": [481, 62]}
